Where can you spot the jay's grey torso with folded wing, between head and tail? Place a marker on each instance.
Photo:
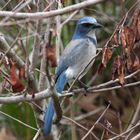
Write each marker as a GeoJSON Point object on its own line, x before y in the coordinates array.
{"type": "Point", "coordinates": [76, 55]}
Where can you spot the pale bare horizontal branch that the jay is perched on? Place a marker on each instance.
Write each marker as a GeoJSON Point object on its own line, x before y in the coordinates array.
{"type": "Point", "coordinates": [46, 93]}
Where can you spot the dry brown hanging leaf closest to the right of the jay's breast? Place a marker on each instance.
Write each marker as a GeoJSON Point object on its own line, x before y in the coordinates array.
{"type": "Point", "coordinates": [107, 54]}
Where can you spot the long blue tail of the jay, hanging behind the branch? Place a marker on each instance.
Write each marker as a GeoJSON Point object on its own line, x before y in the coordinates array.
{"type": "Point", "coordinates": [50, 111]}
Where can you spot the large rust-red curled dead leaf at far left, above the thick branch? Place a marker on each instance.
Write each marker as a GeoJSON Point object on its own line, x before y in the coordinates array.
{"type": "Point", "coordinates": [17, 85]}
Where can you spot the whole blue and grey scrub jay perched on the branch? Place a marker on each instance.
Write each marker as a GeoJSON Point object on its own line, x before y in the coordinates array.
{"type": "Point", "coordinates": [80, 50]}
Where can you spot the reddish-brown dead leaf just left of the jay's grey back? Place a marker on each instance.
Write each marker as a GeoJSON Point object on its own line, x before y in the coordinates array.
{"type": "Point", "coordinates": [51, 56]}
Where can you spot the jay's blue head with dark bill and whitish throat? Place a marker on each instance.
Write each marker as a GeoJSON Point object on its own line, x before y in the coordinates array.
{"type": "Point", "coordinates": [86, 26]}
